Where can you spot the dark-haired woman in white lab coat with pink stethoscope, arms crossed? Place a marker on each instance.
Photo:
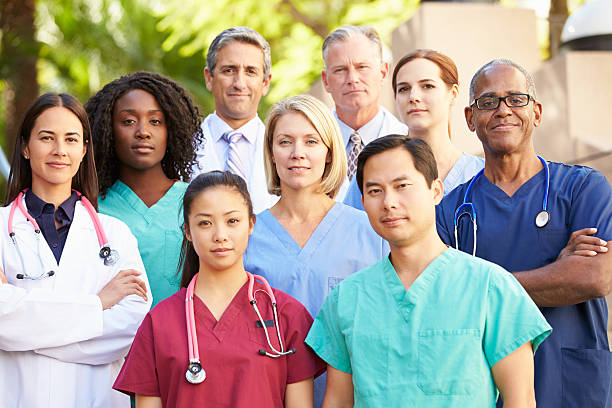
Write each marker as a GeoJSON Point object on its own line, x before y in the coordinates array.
{"type": "Point", "coordinates": [70, 303]}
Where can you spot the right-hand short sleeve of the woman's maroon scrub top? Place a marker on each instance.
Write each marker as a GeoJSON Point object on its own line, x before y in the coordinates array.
{"type": "Point", "coordinates": [304, 363]}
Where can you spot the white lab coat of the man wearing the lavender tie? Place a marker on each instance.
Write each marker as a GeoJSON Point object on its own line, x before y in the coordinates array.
{"type": "Point", "coordinates": [207, 160]}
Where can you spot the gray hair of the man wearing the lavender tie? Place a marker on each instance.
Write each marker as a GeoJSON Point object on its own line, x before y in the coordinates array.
{"type": "Point", "coordinates": [241, 34]}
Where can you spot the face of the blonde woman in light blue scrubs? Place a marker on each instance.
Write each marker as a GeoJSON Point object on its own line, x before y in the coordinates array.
{"type": "Point", "coordinates": [298, 152]}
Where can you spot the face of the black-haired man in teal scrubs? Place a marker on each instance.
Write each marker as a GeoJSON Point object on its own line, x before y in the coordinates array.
{"type": "Point", "coordinates": [397, 199]}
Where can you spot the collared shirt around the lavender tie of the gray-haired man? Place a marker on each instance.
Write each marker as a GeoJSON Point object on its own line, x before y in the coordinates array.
{"type": "Point", "coordinates": [245, 145]}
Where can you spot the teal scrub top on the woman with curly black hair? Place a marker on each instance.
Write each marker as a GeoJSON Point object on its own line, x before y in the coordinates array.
{"type": "Point", "coordinates": [157, 229]}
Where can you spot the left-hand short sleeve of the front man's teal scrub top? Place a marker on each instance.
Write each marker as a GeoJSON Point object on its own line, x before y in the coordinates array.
{"type": "Point", "coordinates": [326, 338]}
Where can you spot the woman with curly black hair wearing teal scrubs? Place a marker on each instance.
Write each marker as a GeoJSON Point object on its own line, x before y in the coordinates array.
{"type": "Point", "coordinates": [146, 127]}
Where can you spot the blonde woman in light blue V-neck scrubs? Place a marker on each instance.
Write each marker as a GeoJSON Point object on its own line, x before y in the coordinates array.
{"type": "Point", "coordinates": [307, 243]}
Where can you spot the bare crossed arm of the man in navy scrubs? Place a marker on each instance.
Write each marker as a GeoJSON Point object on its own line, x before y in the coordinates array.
{"type": "Point", "coordinates": [582, 271]}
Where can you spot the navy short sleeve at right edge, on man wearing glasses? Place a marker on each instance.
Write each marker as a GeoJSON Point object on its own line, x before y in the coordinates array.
{"type": "Point", "coordinates": [592, 206]}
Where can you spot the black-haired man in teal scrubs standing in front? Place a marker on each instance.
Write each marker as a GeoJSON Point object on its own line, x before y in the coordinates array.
{"type": "Point", "coordinates": [428, 326]}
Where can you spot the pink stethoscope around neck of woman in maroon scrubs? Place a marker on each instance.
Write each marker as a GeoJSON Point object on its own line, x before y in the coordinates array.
{"type": "Point", "coordinates": [195, 372]}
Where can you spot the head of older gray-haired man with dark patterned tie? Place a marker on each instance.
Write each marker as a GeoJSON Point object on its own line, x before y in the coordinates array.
{"type": "Point", "coordinates": [354, 74]}
